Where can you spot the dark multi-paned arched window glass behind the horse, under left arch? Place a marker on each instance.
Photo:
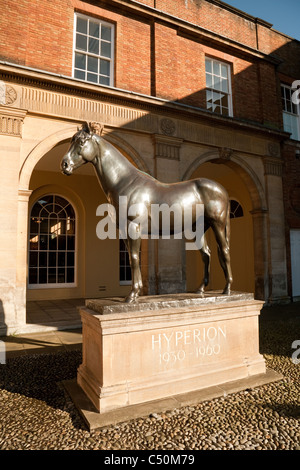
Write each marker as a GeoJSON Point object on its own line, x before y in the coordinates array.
{"type": "Point", "coordinates": [52, 243]}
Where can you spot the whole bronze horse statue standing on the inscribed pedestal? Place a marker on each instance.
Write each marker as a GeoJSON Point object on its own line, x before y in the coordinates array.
{"type": "Point", "coordinates": [118, 177]}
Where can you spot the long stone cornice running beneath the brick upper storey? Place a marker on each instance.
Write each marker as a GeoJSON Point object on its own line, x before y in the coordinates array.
{"type": "Point", "coordinates": [40, 84]}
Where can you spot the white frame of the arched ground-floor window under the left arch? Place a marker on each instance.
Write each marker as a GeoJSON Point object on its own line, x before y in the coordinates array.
{"type": "Point", "coordinates": [55, 285]}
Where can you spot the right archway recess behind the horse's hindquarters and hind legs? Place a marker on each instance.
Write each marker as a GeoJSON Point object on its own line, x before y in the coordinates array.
{"type": "Point", "coordinates": [248, 258]}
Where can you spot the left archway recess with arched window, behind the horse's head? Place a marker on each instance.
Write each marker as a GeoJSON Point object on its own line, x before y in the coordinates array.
{"type": "Point", "coordinates": [91, 269]}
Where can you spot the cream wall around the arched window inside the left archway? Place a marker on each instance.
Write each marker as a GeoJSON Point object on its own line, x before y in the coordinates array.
{"type": "Point", "coordinates": [97, 260]}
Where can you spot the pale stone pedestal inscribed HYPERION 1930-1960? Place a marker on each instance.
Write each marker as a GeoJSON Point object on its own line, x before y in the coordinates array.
{"type": "Point", "coordinates": [165, 345]}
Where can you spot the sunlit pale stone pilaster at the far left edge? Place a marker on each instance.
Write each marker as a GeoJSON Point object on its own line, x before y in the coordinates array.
{"type": "Point", "coordinates": [10, 142]}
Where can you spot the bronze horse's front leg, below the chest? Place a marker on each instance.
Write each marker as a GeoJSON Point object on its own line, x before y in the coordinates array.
{"type": "Point", "coordinates": [133, 247]}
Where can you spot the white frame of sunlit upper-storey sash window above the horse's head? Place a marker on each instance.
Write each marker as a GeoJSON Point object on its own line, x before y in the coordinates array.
{"type": "Point", "coordinates": [92, 55]}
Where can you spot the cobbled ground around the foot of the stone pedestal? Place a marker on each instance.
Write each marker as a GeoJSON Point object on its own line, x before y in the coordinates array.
{"type": "Point", "coordinates": [37, 413]}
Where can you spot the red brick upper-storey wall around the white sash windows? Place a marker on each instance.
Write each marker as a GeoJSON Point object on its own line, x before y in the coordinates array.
{"type": "Point", "coordinates": [151, 57]}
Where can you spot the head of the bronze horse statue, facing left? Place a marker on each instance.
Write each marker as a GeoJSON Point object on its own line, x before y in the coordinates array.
{"type": "Point", "coordinates": [83, 148]}
